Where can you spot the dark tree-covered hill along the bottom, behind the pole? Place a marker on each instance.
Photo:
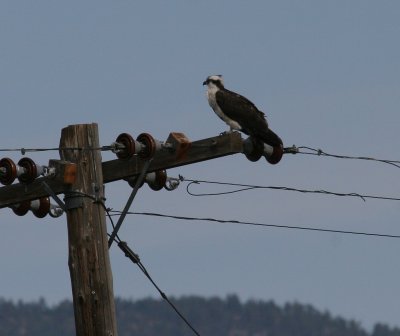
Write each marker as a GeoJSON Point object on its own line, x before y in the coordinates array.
{"type": "Point", "coordinates": [212, 317]}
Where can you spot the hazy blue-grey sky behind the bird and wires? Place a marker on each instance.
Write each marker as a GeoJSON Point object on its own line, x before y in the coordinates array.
{"type": "Point", "coordinates": [325, 73]}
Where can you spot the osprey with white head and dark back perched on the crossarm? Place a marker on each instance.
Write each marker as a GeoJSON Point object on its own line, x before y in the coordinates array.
{"type": "Point", "coordinates": [239, 112]}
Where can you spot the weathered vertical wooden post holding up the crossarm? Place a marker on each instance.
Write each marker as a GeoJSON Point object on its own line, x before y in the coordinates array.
{"type": "Point", "coordinates": [88, 261]}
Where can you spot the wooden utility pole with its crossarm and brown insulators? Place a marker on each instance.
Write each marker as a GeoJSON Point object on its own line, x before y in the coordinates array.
{"type": "Point", "coordinates": [80, 175]}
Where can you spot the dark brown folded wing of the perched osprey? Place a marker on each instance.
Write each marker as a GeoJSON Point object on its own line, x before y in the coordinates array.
{"type": "Point", "coordinates": [249, 117]}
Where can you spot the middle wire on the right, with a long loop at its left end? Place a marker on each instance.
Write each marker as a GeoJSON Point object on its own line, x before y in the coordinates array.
{"type": "Point", "coordinates": [245, 187]}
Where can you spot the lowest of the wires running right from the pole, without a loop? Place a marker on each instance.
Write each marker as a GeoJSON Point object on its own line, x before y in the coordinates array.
{"type": "Point", "coordinates": [224, 221]}
